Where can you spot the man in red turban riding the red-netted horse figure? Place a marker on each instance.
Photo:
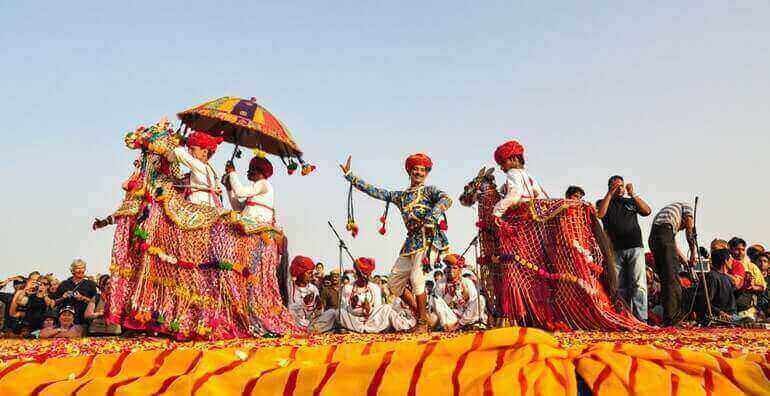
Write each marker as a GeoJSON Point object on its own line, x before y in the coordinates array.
{"type": "Point", "coordinates": [519, 185]}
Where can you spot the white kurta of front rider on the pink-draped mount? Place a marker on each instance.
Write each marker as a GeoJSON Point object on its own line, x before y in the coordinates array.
{"type": "Point", "coordinates": [203, 182]}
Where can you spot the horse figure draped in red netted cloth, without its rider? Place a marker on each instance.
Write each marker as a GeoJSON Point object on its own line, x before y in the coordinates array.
{"type": "Point", "coordinates": [546, 263]}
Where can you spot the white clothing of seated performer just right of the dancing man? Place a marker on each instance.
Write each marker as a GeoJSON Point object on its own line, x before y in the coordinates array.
{"type": "Point", "coordinates": [451, 304]}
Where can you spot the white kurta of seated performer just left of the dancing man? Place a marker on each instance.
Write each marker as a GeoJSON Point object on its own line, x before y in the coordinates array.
{"type": "Point", "coordinates": [352, 314]}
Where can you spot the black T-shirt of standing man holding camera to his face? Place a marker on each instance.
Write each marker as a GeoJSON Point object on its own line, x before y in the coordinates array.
{"type": "Point", "coordinates": [621, 223]}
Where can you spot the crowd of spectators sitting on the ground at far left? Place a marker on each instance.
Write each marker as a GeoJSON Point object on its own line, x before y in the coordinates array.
{"type": "Point", "coordinates": [40, 306]}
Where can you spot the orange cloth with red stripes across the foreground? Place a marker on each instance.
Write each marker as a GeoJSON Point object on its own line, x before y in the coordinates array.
{"type": "Point", "coordinates": [502, 361]}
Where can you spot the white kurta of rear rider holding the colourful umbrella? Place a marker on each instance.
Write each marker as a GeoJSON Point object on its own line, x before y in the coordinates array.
{"type": "Point", "coordinates": [255, 200]}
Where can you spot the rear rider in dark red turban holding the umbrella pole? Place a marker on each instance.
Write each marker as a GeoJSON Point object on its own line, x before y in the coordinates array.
{"type": "Point", "coordinates": [255, 201]}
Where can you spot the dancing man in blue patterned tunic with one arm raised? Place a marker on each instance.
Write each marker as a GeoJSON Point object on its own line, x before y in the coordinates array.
{"type": "Point", "coordinates": [422, 208]}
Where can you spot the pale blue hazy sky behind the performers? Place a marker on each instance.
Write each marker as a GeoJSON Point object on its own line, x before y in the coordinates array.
{"type": "Point", "coordinates": [673, 97]}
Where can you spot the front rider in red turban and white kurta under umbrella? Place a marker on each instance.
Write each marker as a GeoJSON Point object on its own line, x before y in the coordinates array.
{"type": "Point", "coordinates": [202, 185]}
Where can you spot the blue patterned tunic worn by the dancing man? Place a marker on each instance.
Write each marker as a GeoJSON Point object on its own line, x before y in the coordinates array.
{"type": "Point", "coordinates": [418, 206]}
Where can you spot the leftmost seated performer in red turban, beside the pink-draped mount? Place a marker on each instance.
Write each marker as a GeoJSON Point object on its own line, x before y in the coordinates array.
{"type": "Point", "coordinates": [304, 299]}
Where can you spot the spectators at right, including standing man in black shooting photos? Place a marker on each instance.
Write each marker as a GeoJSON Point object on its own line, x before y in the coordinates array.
{"type": "Point", "coordinates": [736, 275]}
